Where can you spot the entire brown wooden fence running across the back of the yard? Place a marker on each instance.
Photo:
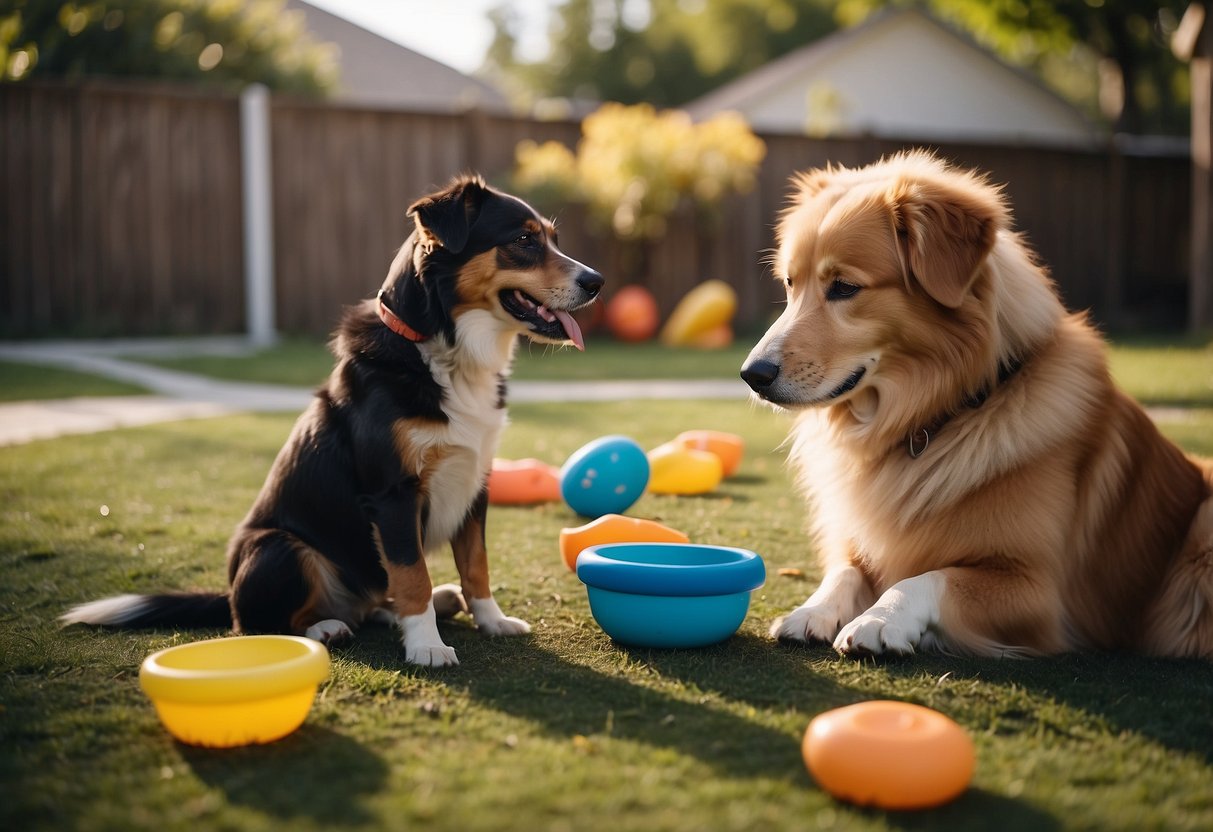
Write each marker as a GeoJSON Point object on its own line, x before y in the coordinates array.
{"type": "Point", "coordinates": [121, 212]}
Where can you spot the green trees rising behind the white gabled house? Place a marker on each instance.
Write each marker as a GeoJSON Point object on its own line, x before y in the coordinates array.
{"type": "Point", "coordinates": [669, 53]}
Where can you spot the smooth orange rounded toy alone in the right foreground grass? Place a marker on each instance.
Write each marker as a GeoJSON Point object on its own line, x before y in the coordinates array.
{"type": "Point", "coordinates": [890, 755]}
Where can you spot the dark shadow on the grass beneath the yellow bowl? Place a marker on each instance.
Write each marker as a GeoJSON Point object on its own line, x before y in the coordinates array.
{"type": "Point", "coordinates": [294, 778]}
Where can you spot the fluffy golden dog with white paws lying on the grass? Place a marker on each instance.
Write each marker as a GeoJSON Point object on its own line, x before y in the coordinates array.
{"type": "Point", "coordinates": [977, 483]}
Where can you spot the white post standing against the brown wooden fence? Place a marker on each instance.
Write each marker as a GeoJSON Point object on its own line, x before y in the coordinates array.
{"type": "Point", "coordinates": [259, 215]}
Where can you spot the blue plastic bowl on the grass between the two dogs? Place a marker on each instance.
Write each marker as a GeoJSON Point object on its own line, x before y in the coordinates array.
{"type": "Point", "coordinates": [669, 595]}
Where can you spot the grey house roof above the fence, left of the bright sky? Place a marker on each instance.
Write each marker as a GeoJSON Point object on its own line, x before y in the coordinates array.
{"type": "Point", "coordinates": [380, 72]}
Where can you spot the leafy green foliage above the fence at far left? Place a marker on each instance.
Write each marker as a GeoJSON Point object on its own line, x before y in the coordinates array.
{"type": "Point", "coordinates": [224, 43]}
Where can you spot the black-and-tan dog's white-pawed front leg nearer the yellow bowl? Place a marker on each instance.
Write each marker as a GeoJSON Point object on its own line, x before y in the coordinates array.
{"type": "Point", "coordinates": [398, 523]}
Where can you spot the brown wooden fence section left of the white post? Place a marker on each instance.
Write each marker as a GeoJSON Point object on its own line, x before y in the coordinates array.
{"type": "Point", "coordinates": [121, 212]}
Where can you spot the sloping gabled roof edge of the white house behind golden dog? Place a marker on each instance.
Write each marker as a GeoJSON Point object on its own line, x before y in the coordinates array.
{"type": "Point", "coordinates": [821, 55]}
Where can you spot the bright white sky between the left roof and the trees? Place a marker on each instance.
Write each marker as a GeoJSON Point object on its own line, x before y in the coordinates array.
{"type": "Point", "coordinates": [455, 32]}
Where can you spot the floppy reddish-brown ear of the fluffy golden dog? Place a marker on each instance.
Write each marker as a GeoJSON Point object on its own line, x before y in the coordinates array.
{"type": "Point", "coordinates": [946, 230]}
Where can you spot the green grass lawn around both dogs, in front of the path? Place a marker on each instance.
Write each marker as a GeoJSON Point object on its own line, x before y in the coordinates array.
{"type": "Point", "coordinates": [559, 731]}
